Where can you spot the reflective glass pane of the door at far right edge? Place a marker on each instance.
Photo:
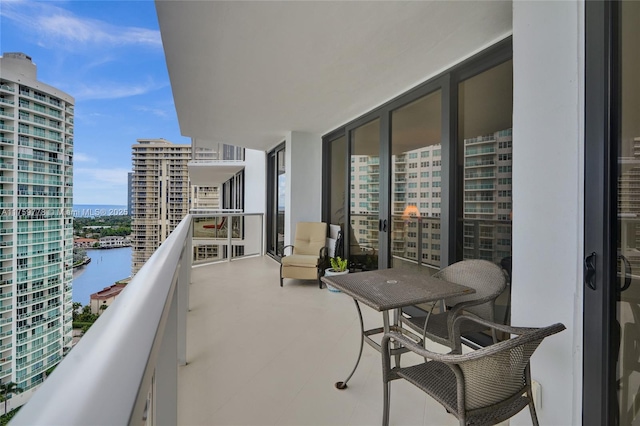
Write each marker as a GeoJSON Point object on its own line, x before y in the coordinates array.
{"type": "Point", "coordinates": [628, 238]}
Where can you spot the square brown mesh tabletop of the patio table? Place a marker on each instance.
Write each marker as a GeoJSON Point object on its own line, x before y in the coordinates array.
{"type": "Point", "coordinates": [386, 289]}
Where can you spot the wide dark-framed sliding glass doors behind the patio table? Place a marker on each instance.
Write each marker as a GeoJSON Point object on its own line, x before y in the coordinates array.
{"type": "Point", "coordinates": [429, 172]}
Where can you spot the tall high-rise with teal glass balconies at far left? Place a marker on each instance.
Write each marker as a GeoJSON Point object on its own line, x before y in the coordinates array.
{"type": "Point", "coordinates": [36, 229]}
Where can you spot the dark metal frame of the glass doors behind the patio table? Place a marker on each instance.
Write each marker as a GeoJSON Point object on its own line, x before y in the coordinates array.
{"type": "Point", "coordinates": [447, 82]}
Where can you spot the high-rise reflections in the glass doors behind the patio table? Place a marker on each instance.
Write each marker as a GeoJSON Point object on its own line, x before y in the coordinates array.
{"type": "Point", "coordinates": [417, 182]}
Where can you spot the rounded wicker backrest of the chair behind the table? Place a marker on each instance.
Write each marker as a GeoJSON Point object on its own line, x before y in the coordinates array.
{"type": "Point", "coordinates": [485, 277]}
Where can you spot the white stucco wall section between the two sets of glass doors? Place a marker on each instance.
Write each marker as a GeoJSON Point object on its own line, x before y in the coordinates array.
{"type": "Point", "coordinates": [548, 141]}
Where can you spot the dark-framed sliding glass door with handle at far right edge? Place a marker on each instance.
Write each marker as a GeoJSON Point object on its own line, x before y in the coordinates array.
{"type": "Point", "coordinates": [611, 379]}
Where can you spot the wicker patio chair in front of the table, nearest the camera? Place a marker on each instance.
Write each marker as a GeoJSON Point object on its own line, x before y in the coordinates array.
{"type": "Point", "coordinates": [484, 387]}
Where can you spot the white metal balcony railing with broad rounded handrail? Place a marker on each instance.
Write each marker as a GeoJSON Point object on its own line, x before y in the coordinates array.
{"type": "Point", "coordinates": [137, 344]}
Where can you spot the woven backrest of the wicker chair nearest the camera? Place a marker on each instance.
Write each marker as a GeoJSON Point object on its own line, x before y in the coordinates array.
{"type": "Point", "coordinates": [497, 372]}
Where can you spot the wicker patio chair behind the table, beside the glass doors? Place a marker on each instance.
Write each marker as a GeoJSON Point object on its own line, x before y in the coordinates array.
{"type": "Point", "coordinates": [489, 281]}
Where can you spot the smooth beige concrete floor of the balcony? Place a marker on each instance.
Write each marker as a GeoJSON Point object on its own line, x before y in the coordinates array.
{"type": "Point", "coordinates": [259, 354]}
